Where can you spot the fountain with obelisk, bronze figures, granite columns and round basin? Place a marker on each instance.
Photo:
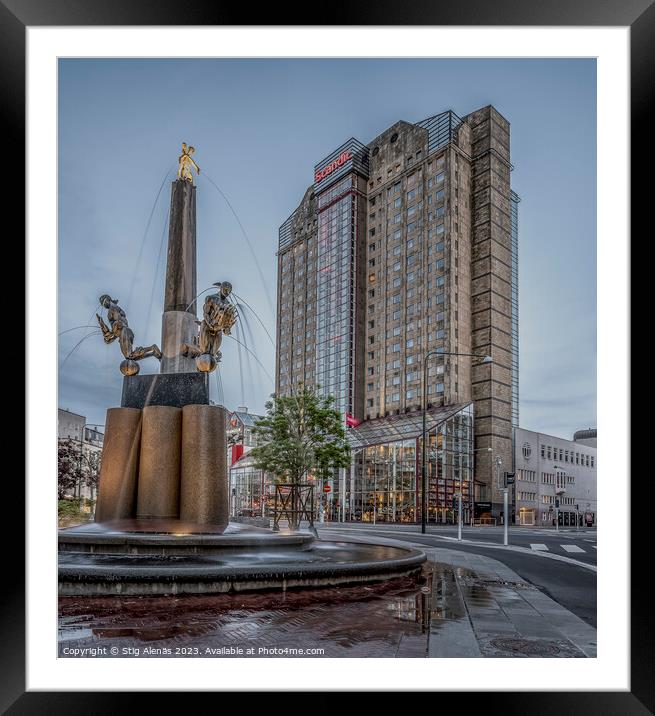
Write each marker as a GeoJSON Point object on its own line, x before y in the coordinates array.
{"type": "Point", "coordinates": [161, 522]}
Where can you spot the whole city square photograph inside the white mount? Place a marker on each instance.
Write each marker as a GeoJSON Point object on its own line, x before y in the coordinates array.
{"type": "Point", "coordinates": [327, 358]}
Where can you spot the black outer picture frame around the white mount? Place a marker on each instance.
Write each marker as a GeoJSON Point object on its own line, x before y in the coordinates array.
{"type": "Point", "coordinates": [17, 15]}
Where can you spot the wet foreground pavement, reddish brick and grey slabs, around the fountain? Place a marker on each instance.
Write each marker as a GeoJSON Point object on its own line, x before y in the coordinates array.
{"type": "Point", "coordinates": [462, 605]}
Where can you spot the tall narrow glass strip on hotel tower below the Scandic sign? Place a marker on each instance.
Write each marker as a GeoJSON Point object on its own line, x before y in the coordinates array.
{"type": "Point", "coordinates": [335, 331]}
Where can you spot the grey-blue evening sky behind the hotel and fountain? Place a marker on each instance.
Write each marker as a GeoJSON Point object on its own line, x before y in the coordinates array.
{"type": "Point", "coordinates": [259, 127]}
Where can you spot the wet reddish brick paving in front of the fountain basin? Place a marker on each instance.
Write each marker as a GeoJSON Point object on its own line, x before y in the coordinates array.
{"type": "Point", "coordinates": [386, 620]}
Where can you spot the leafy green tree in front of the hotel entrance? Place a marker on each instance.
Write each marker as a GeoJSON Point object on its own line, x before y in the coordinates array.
{"type": "Point", "coordinates": [300, 434]}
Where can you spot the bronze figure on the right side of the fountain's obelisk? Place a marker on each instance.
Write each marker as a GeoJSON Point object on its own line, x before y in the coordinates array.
{"type": "Point", "coordinates": [219, 315]}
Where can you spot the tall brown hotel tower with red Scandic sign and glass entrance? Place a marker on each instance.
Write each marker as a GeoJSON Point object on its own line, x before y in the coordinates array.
{"type": "Point", "coordinates": [401, 246]}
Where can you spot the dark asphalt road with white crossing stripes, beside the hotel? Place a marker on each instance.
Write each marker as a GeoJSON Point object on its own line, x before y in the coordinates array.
{"type": "Point", "coordinates": [570, 584]}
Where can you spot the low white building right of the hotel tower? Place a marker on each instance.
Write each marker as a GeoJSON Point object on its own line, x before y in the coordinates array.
{"type": "Point", "coordinates": [551, 470]}
